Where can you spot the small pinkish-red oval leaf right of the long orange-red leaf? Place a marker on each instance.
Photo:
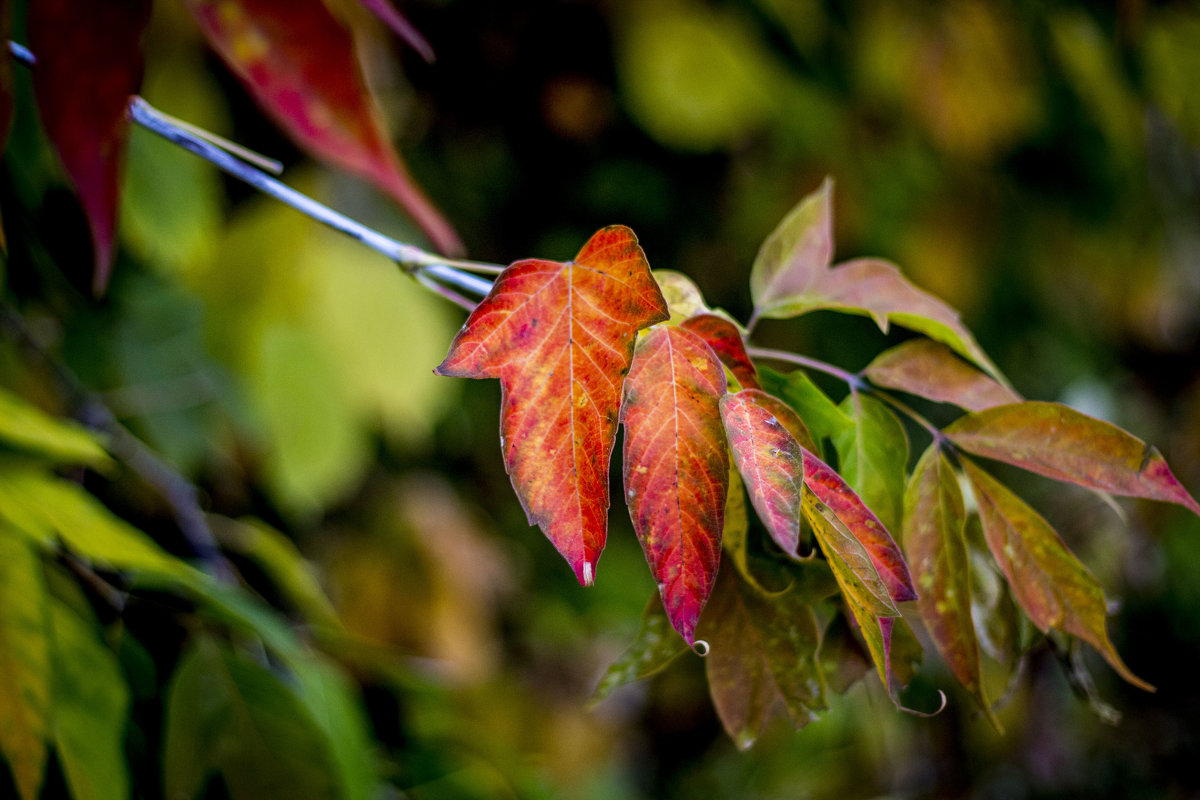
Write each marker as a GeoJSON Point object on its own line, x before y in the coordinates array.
{"type": "Point", "coordinates": [770, 460]}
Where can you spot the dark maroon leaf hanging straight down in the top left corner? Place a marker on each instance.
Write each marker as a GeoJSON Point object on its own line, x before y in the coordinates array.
{"type": "Point", "coordinates": [89, 64]}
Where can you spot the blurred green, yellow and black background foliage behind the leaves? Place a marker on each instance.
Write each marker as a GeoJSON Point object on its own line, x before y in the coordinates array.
{"type": "Point", "coordinates": [1037, 165]}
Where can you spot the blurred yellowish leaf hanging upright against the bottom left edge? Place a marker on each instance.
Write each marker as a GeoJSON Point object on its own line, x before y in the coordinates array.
{"type": "Point", "coordinates": [26, 665]}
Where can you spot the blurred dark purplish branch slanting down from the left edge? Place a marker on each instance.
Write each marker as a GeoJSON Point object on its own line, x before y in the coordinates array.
{"type": "Point", "coordinates": [179, 494]}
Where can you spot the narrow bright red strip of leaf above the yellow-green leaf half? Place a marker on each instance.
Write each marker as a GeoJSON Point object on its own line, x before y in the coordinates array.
{"type": "Point", "coordinates": [849, 509]}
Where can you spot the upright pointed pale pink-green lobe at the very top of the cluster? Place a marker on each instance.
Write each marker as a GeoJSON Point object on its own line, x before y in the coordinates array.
{"type": "Point", "coordinates": [795, 256]}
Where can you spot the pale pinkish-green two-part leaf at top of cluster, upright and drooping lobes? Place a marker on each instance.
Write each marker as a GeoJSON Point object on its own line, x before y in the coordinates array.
{"type": "Point", "coordinates": [793, 276]}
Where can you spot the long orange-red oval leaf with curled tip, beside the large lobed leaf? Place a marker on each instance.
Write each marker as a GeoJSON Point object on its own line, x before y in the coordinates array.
{"type": "Point", "coordinates": [677, 467]}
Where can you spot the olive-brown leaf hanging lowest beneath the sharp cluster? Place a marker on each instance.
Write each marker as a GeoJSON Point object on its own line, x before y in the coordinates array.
{"type": "Point", "coordinates": [763, 657]}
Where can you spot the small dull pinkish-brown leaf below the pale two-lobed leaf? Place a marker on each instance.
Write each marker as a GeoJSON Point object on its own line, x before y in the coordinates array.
{"type": "Point", "coordinates": [932, 370]}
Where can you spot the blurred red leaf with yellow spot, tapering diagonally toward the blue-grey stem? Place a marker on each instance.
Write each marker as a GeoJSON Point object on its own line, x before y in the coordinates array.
{"type": "Point", "coordinates": [299, 63]}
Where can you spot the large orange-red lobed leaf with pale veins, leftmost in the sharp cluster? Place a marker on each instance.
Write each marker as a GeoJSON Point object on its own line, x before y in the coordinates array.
{"type": "Point", "coordinates": [560, 336]}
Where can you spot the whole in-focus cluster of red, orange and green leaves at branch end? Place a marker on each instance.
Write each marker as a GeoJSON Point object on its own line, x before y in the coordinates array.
{"type": "Point", "coordinates": [565, 341]}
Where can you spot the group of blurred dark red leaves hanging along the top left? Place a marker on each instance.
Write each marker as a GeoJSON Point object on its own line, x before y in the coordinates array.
{"type": "Point", "coordinates": [297, 59]}
